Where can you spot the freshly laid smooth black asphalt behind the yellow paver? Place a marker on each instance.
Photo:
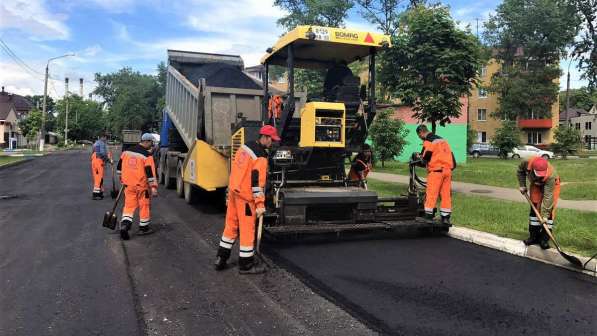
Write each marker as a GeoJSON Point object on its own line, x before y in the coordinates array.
{"type": "Point", "coordinates": [442, 286]}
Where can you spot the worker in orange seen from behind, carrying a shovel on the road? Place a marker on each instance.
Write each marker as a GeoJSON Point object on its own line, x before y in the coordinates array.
{"type": "Point", "coordinates": [137, 174]}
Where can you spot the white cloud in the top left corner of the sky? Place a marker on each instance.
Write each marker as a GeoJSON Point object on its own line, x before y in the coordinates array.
{"type": "Point", "coordinates": [32, 17]}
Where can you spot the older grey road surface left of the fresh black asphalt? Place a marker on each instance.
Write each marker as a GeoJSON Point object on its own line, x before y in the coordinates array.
{"type": "Point", "coordinates": [61, 273]}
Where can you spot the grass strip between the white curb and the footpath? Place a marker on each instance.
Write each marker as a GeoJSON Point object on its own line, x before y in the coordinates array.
{"type": "Point", "coordinates": [575, 230]}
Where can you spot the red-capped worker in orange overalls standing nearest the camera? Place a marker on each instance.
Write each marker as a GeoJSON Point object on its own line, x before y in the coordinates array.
{"type": "Point", "coordinates": [246, 201]}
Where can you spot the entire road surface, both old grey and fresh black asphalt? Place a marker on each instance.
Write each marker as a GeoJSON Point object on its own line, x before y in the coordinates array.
{"type": "Point", "coordinates": [61, 273]}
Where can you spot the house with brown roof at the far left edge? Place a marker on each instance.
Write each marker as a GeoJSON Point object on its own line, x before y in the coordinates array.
{"type": "Point", "coordinates": [13, 108]}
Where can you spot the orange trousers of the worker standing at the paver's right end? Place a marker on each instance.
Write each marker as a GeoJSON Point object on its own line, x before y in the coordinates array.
{"type": "Point", "coordinates": [439, 184]}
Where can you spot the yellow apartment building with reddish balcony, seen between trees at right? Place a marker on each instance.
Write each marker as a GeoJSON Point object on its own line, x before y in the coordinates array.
{"type": "Point", "coordinates": [483, 105]}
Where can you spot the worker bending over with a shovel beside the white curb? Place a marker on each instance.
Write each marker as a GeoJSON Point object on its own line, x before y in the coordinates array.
{"type": "Point", "coordinates": [544, 185]}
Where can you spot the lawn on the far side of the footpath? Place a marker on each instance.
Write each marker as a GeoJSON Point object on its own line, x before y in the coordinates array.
{"type": "Point", "coordinates": [579, 176]}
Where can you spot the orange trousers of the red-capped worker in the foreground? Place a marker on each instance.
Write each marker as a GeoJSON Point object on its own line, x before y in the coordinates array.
{"type": "Point", "coordinates": [240, 219]}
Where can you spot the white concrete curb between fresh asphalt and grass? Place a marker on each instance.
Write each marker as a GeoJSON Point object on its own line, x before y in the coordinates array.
{"type": "Point", "coordinates": [517, 247]}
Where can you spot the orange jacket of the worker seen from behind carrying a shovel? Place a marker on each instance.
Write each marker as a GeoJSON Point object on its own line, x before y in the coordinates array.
{"type": "Point", "coordinates": [137, 168]}
